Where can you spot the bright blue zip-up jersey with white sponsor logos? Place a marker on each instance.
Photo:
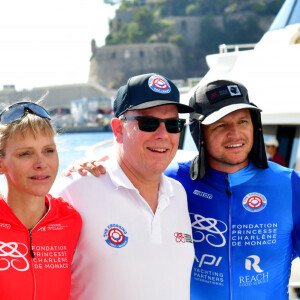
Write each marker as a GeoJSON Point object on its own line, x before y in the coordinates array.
{"type": "Point", "coordinates": [245, 230]}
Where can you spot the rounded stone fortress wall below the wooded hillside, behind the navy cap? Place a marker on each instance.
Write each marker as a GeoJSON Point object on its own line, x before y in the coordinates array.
{"type": "Point", "coordinates": [111, 66]}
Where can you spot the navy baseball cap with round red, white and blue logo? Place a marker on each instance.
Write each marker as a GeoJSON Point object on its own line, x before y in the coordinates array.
{"type": "Point", "coordinates": [146, 91]}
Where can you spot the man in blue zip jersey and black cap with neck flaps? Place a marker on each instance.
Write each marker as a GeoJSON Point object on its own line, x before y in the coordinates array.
{"type": "Point", "coordinates": [244, 211]}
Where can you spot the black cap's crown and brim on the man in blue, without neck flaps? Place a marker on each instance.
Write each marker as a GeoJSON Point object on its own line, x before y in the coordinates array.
{"type": "Point", "coordinates": [214, 100]}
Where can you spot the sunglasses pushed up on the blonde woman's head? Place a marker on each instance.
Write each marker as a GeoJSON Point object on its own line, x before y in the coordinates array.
{"type": "Point", "coordinates": [17, 111]}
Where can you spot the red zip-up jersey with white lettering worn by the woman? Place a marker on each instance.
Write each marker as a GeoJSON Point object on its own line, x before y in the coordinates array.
{"type": "Point", "coordinates": [36, 264]}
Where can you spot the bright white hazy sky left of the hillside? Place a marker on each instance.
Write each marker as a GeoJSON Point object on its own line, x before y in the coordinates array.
{"type": "Point", "coordinates": [48, 42]}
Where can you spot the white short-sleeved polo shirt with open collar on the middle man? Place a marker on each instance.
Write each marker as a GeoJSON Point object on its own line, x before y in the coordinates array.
{"type": "Point", "coordinates": [125, 251]}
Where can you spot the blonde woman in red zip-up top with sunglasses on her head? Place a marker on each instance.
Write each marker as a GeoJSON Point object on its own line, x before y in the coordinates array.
{"type": "Point", "coordinates": [38, 233]}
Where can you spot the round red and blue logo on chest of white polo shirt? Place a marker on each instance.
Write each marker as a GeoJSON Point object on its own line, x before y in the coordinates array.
{"type": "Point", "coordinates": [115, 236]}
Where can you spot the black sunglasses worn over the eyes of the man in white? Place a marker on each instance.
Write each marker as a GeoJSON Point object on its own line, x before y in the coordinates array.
{"type": "Point", "coordinates": [150, 124]}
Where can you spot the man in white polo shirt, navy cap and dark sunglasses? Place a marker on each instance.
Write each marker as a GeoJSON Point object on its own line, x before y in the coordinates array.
{"type": "Point", "coordinates": [138, 245]}
